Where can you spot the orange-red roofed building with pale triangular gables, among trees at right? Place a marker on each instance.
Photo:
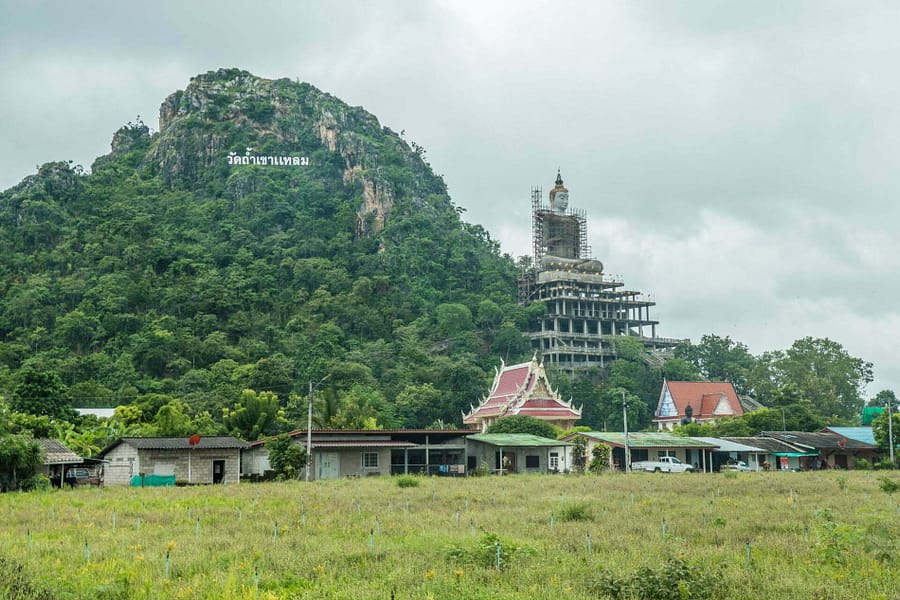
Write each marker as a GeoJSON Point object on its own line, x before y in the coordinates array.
{"type": "Point", "coordinates": [696, 401]}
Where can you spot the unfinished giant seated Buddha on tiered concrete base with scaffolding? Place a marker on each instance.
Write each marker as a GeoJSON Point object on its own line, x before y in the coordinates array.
{"type": "Point", "coordinates": [586, 309]}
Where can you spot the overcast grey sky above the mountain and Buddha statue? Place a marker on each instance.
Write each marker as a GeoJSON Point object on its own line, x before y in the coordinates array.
{"type": "Point", "coordinates": [736, 160]}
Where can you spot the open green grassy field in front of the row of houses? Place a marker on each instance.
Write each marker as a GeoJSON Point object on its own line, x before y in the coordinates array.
{"type": "Point", "coordinates": [749, 535]}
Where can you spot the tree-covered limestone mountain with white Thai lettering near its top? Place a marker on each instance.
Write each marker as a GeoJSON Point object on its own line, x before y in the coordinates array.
{"type": "Point", "coordinates": [265, 235]}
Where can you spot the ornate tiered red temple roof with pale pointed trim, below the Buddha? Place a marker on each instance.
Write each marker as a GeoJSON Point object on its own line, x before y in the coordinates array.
{"type": "Point", "coordinates": [522, 389]}
